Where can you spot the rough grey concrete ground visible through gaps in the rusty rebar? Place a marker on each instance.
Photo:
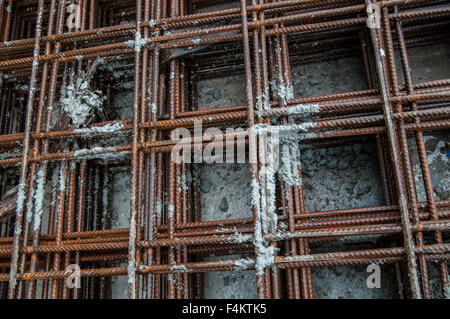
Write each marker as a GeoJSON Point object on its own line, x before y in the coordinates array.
{"type": "Point", "coordinates": [334, 178]}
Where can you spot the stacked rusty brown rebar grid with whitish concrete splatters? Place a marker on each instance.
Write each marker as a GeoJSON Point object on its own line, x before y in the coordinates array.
{"type": "Point", "coordinates": [166, 242]}
